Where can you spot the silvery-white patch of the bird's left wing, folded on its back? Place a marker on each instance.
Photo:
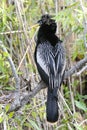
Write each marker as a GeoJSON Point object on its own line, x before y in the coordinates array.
{"type": "Point", "coordinates": [42, 56]}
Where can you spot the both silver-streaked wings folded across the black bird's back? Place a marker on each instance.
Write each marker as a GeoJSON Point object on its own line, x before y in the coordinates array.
{"type": "Point", "coordinates": [52, 61]}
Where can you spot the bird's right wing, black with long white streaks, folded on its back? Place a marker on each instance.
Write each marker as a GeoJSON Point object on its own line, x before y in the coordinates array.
{"type": "Point", "coordinates": [57, 66]}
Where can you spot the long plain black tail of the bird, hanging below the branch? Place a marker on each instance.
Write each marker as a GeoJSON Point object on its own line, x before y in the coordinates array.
{"type": "Point", "coordinates": [52, 106]}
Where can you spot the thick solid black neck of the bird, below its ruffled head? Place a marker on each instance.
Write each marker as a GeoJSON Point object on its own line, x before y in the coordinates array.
{"type": "Point", "coordinates": [46, 34]}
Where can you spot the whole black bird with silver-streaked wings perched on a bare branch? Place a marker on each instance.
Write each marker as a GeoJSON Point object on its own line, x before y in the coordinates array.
{"type": "Point", "coordinates": [50, 61]}
